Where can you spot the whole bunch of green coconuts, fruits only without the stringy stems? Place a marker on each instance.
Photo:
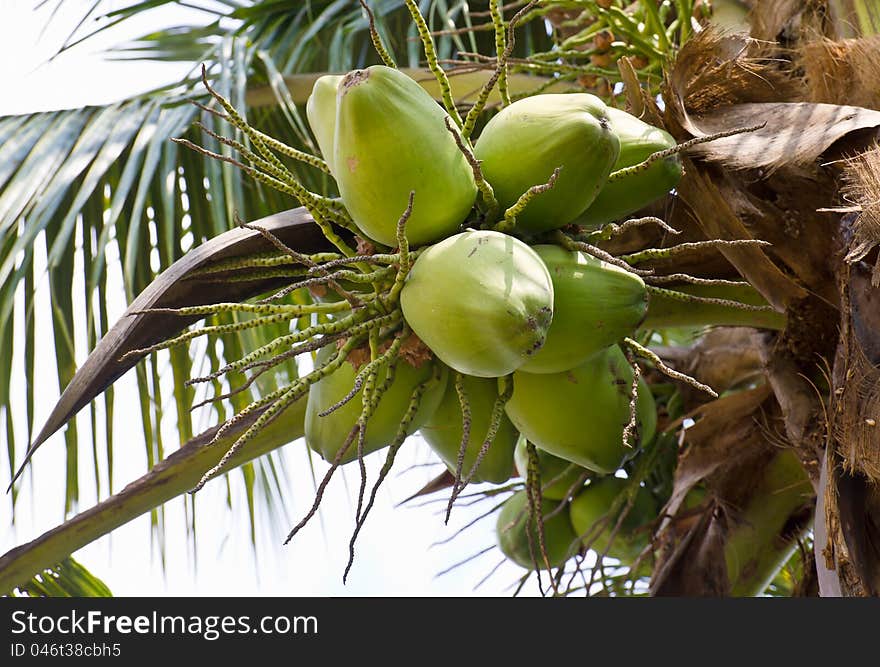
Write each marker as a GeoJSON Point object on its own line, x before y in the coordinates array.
{"type": "Point", "coordinates": [521, 333]}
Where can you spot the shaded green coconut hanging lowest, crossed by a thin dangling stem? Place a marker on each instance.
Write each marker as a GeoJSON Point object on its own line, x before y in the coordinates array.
{"type": "Point", "coordinates": [513, 531]}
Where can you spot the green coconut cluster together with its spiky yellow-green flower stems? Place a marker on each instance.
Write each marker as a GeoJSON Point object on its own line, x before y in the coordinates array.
{"type": "Point", "coordinates": [461, 301]}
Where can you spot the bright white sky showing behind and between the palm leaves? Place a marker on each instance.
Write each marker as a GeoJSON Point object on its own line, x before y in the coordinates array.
{"type": "Point", "coordinates": [395, 556]}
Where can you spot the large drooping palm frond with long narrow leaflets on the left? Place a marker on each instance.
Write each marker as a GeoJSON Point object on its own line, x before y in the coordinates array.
{"type": "Point", "coordinates": [109, 195]}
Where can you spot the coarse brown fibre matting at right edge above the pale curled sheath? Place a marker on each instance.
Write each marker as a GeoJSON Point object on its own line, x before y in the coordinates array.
{"type": "Point", "coordinates": [841, 72]}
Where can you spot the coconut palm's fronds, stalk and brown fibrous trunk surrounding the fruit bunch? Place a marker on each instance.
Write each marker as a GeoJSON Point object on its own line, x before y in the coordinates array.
{"type": "Point", "coordinates": [117, 182]}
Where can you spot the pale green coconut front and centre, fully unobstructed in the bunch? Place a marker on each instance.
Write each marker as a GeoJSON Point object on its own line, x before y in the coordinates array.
{"type": "Point", "coordinates": [481, 300]}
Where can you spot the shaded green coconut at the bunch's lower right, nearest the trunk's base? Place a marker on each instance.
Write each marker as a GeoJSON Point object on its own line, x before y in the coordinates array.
{"type": "Point", "coordinates": [594, 522]}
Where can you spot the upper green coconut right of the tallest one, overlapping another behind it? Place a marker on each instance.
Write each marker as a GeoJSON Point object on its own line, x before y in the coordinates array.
{"type": "Point", "coordinates": [522, 145]}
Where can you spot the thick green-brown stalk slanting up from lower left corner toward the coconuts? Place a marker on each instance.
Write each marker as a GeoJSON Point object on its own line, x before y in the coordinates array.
{"type": "Point", "coordinates": [168, 479]}
